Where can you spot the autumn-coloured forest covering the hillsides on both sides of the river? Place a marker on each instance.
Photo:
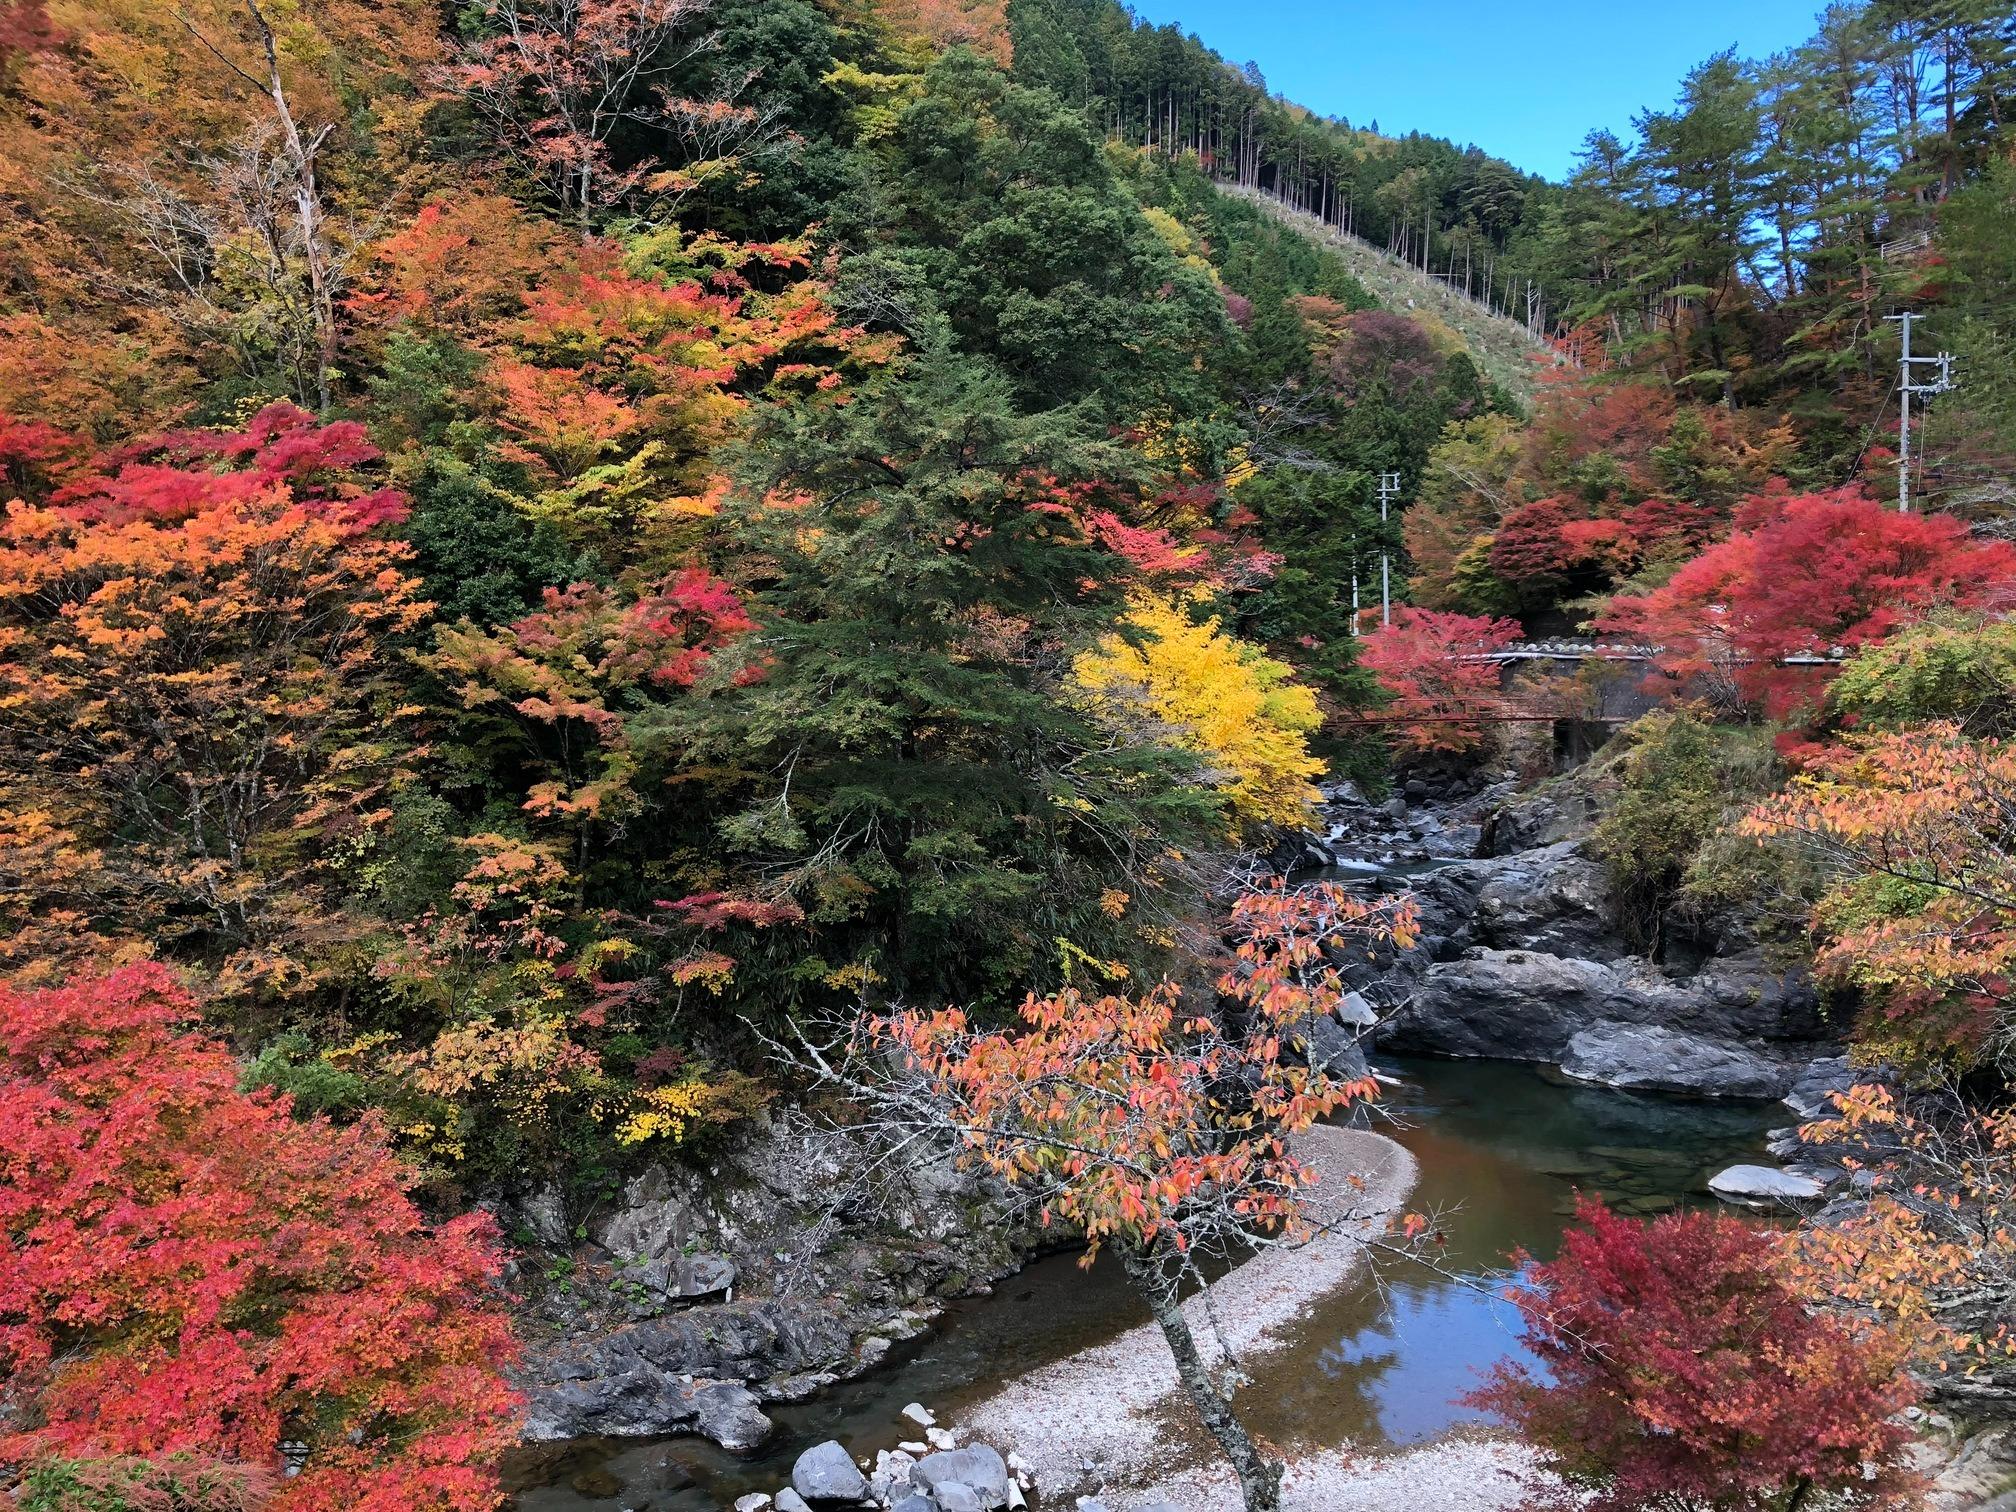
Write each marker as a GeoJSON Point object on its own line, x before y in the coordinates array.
{"type": "Point", "coordinates": [557, 547]}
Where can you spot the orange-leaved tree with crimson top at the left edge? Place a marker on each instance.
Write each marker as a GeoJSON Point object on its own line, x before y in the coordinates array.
{"type": "Point", "coordinates": [195, 682]}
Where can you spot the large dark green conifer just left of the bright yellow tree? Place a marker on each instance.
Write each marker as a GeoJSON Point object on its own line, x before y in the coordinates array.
{"type": "Point", "coordinates": [920, 783]}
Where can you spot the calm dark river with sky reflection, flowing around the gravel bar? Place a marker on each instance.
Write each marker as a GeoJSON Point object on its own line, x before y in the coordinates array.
{"type": "Point", "coordinates": [1503, 1150]}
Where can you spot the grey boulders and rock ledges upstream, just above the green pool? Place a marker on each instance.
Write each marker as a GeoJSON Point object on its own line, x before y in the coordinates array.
{"type": "Point", "coordinates": [1521, 957]}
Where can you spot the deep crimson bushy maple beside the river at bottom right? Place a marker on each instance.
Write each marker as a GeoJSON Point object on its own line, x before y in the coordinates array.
{"type": "Point", "coordinates": [1680, 1370]}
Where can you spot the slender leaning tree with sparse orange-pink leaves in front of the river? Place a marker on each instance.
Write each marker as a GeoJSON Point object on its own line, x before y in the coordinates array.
{"type": "Point", "coordinates": [1148, 1126]}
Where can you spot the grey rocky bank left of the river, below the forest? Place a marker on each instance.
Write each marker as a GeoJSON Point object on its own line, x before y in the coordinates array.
{"type": "Point", "coordinates": [699, 1295]}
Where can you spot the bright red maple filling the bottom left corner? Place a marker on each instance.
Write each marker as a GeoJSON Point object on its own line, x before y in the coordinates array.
{"type": "Point", "coordinates": [193, 1271]}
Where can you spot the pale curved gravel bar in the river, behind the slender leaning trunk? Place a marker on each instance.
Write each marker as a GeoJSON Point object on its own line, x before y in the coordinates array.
{"type": "Point", "coordinates": [1116, 1416]}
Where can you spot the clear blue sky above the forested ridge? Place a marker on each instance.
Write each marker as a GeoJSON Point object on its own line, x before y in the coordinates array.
{"type": "Point", "coordinates": [1525, 80]}
